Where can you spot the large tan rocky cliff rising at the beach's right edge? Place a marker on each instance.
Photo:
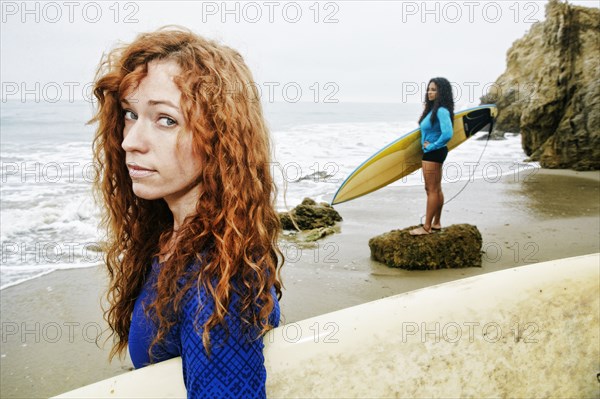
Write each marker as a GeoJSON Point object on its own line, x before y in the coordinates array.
{"type": "Point", "coordinates": [550, 91]}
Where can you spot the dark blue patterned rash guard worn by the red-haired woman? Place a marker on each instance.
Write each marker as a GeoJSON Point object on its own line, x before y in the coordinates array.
{"type": "Point", "coordinates": [235, 367]}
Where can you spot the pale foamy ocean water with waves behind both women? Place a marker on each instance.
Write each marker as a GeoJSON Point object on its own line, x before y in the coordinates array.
{"type": "Point", "coordinates": [49, 219]}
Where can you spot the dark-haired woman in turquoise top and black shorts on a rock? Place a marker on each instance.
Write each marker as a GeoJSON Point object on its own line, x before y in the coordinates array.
{"type": "Point", "coordinates": [436, 131]}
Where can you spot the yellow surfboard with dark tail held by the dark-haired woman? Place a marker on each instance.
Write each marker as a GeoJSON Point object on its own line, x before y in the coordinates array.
{"type": "Point", "coordinates": [403, 156]}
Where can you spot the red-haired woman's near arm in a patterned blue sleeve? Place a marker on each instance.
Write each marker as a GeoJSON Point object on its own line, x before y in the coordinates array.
{"type": "Point", "coordinates": [235, 367]}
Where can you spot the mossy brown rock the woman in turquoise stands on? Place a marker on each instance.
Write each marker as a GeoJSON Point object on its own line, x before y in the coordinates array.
{"type": "Point", "coordinates": [453, 247]}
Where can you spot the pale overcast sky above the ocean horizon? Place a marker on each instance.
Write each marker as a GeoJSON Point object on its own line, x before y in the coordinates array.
{"type": "Point", "coordinates": [372, 51]}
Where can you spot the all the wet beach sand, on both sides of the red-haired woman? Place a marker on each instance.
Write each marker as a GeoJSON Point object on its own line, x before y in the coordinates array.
{"type": "Point", "coordinates": [49, 324]}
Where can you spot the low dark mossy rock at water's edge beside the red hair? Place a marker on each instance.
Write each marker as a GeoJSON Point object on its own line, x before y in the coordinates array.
{"type": "Point", "coordinates": [309, 215]}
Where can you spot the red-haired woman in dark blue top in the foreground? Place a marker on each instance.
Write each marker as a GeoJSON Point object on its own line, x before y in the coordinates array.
{"type": "Point", "coordinates": [183, 172]}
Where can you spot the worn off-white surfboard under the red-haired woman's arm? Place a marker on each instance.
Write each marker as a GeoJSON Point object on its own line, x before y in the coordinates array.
{"type": "Point", "coordinates": [530, 331]}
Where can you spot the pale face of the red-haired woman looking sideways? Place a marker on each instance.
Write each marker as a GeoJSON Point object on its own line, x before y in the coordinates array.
{"type": "Point", "coordinates": [160, 165]}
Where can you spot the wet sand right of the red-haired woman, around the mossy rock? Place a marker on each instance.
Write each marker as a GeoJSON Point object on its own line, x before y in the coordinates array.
{"type": "Point", "coordinates": [507, 212]}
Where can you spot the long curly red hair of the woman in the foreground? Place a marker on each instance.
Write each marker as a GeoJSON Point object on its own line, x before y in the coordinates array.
{"type": "Point", "coordinates": [233, 233]}
